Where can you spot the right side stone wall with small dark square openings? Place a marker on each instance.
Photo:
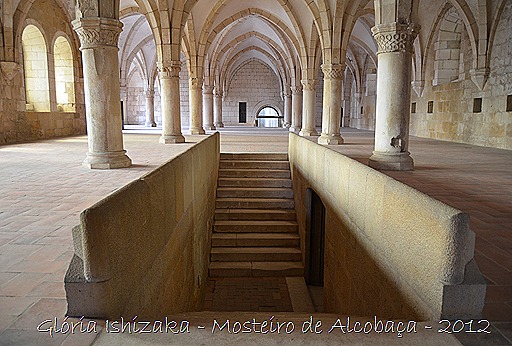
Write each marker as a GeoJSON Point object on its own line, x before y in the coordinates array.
{"type": "Point", "coordinates": [453, 118]}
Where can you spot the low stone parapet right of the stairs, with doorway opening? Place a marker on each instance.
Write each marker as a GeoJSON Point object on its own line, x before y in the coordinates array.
{"type": "Point", "coordinates": [390, 250]}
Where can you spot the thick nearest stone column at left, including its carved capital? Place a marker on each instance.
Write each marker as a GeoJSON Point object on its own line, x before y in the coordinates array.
{"type": "Point", "coordinates": [98, 39]}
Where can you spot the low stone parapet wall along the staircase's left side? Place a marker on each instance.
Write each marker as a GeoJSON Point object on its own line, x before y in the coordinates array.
{"type": "Point", "coordinates": [143, 250]}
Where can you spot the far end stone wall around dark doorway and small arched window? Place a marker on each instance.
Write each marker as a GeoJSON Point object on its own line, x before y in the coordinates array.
{"type": "Point", "coordinates": [255, 84]}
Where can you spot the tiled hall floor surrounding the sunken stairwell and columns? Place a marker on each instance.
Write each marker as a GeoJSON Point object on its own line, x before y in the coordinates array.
{"type": "Point", "coordinates": [44, 187]}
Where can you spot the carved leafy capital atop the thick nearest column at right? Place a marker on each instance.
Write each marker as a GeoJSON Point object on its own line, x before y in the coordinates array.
{"type": "Point", "coordinates": [395, 37]}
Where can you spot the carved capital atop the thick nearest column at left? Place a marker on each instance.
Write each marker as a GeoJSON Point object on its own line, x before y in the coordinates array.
{"type": "Point", "coordinates": [97, 32]}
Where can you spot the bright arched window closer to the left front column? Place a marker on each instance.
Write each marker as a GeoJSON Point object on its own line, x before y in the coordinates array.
{"type": "Point", "coordinates": [64, 78]}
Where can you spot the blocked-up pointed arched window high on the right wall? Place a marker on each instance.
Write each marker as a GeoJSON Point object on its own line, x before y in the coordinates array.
{"type": "Point", "coordinates": [447, 48]}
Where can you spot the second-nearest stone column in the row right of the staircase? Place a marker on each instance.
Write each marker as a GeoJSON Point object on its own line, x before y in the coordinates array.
{"type": "Point", "coordinates": [331, 116]}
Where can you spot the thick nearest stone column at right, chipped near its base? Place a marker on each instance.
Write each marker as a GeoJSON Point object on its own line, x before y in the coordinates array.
{"type": "Point", "coordinates": [393, 96]}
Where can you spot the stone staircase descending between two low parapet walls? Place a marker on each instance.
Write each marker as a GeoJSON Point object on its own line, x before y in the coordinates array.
{"type": "Point", "coordinates": [255, 232]}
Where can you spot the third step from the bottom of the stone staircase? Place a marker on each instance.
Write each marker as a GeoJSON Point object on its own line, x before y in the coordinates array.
{"type": "Point", "coordinates": [255, 240]}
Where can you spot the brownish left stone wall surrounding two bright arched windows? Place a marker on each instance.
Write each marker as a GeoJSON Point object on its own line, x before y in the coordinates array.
{"type": "Point", "coordinates": [19, 125]}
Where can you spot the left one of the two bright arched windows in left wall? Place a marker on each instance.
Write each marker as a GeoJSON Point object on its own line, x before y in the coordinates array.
{"type": "Point", "coordinates": [37, 89]}
